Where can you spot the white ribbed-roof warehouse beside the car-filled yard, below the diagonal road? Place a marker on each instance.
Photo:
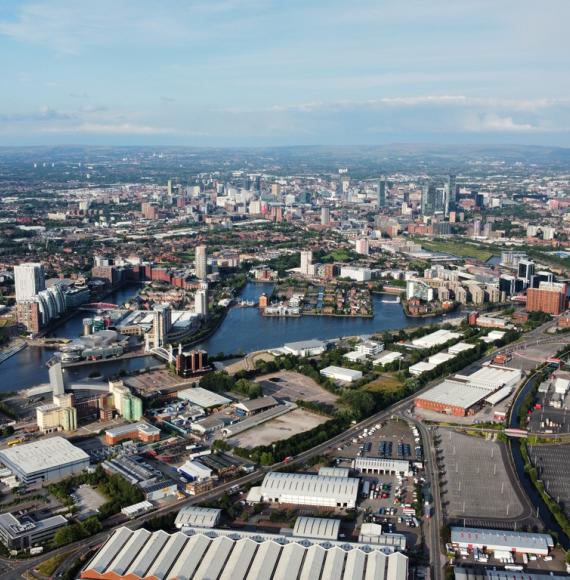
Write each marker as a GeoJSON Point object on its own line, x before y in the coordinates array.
{"type": "Point", "coordinates": [305, 489]}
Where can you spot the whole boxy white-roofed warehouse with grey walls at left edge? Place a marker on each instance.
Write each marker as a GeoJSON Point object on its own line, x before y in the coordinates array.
{"type": "Point", "coordinates": [44, 461]}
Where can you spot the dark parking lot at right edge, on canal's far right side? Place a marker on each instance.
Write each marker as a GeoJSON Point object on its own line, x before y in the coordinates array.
{"type": "Point", "coordinates": [552, 463]}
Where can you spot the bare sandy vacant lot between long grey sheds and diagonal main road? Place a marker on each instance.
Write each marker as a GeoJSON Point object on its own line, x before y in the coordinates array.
{"type": "Point", "coordinates": [297, 421]}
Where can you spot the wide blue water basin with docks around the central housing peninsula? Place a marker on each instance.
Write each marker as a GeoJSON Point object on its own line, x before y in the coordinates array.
{"type": "Point", "coordinates": [245, 329]}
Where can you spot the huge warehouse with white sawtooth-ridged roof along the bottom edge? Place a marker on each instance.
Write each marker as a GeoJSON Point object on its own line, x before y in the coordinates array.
{"type": "Point", "coordinates": [230, 555]}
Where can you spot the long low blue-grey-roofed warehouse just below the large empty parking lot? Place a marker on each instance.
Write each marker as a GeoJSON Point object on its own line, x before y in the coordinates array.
{"type": "Point", "coordinates": [501, 541]}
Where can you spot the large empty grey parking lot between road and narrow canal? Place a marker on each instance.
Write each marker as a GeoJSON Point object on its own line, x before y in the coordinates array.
{"type": "Point", "coordinates": [475, 482]}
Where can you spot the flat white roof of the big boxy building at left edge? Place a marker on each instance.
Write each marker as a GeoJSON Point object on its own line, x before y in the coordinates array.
{"type": "Point", "coordinates": [43, 455]}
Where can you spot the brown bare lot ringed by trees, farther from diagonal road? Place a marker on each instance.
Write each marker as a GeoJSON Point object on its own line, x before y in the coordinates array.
{"type": "Point", "coordinates": [293, 386]}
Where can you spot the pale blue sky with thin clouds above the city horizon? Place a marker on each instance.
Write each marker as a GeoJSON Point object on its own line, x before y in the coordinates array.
{"type": "Point", "coordinates": [284, 72]}
